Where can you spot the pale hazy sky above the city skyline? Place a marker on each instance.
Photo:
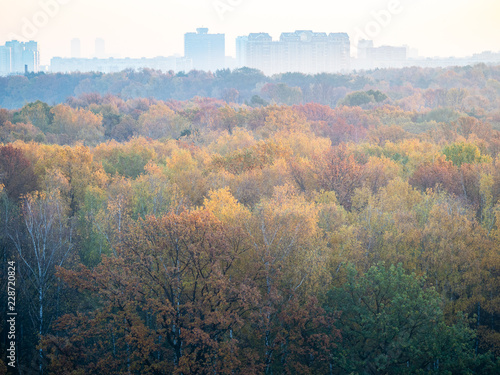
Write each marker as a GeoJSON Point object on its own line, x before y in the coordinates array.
{"type": "Point", "coordinates": [156, 27]}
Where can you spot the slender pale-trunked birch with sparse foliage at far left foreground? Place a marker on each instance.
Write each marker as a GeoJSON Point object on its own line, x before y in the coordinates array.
{"type": "Point", "coordinates": [43, 241]}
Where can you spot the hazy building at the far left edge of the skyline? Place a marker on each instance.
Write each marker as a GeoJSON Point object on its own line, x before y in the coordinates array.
{"type": "Point", "coordinates": [18, 57]}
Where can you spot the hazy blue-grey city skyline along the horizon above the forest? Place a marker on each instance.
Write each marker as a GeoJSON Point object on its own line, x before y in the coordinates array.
{"type": "Point", "coordinates": [302, 51]}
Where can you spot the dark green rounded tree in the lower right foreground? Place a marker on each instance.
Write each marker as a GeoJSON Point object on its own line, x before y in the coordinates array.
{"type": "Point", "coordinates": [392, 324]}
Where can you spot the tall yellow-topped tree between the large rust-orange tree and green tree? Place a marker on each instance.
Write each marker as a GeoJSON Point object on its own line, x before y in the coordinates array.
{"type": "Point", "coordinates": [283, 233]}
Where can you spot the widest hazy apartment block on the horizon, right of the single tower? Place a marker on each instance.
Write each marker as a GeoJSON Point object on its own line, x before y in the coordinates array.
{"type": "Point", "coordinates": [301, 51]}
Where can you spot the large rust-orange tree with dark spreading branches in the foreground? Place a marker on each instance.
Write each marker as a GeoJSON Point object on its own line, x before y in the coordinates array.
{"type": "Point", "coordinates": [170, 302]}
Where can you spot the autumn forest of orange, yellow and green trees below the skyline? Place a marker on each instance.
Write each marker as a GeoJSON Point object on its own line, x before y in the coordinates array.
{"type": "Point", "coordinates": [233, 223]}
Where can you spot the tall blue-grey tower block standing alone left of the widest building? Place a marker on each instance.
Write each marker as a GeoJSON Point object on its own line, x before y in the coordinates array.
{"type": "Point", "coordinates": [207, 51]}
